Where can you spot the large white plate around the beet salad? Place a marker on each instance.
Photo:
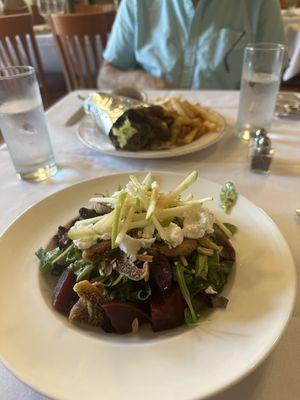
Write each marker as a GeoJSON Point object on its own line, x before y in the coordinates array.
{"type": "Point", "coordinates": [64, 361]}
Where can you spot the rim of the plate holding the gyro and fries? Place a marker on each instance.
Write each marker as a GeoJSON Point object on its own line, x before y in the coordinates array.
{"type": "Point", "coordinates": [155, 154]}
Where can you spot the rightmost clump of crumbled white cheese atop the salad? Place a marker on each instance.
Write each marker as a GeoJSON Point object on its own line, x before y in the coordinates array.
{"type": "Point", "coordinates": [195, 226]}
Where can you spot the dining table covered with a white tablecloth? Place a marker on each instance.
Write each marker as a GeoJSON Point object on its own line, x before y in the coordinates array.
{"type": "Point", "coordinates": [277, 193]}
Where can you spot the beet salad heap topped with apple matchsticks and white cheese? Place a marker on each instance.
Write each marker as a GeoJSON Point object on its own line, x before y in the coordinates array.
{"type": "Point", "coordinates": [140, 255]}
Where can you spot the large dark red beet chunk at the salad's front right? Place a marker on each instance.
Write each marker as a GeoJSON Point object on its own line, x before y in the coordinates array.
{"type": "Point", "coordinates": [167, 310]}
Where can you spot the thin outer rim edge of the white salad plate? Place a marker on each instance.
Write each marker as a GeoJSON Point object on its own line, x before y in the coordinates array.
{"type": "Point", "coordinates": [262, 356]}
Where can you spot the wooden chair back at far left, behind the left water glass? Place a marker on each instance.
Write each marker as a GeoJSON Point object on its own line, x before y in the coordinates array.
{"type": "Point", "coordinates": [18, 45]}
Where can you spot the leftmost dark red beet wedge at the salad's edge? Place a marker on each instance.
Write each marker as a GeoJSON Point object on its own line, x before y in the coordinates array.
{"type": "Point", "coordinates": [64, 297]}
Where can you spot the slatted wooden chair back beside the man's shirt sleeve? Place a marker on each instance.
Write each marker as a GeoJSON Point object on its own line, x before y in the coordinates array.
{"type": "Point", "coordinates": [77, 37]}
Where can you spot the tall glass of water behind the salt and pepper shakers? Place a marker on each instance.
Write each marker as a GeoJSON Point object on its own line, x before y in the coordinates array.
{"type": "Point", "coordinates": [261, 77]}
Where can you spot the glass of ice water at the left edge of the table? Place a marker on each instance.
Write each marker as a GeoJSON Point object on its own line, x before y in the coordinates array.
{"type": "Point", "coordinates": [23, 124]}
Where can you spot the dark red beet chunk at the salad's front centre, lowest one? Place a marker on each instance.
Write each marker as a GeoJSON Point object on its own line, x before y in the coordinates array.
{"type": "Point", "coordinates": [121, 315]}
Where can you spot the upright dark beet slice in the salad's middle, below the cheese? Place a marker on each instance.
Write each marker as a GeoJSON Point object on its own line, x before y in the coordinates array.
{"type": "Point", "coordinates": [160, 273]}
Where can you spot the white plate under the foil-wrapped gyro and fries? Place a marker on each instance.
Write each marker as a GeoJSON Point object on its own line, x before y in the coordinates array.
{"type": "Point", "coordinates": [93, 137]}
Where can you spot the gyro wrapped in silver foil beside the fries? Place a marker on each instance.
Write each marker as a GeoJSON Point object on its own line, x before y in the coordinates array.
{"type": "Point", "coordinates": [130, 124]}
